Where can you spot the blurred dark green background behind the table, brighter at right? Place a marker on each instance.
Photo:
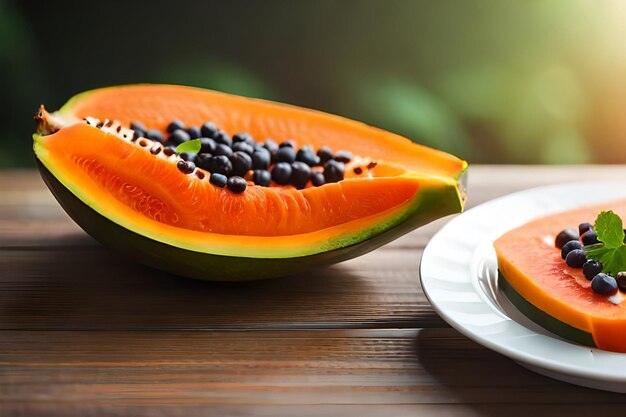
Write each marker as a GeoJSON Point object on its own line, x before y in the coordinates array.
{"type": "Point", "coordinates": [493, 81]}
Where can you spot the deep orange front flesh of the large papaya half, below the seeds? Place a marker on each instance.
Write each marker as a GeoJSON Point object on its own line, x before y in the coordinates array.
{"type": "Point", "coordinates": [154, 187]}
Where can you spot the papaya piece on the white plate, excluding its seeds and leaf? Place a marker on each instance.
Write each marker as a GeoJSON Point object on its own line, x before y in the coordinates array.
{"type": "Point", "coordinates": [539, 283]}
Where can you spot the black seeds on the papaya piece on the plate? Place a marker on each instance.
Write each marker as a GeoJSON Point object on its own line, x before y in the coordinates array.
{"type": "Point", "coordinates": [572, 251]}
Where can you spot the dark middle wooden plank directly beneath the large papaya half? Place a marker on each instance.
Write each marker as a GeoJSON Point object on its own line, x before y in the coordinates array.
{"type": "Point", "coordinates": [91, 288]}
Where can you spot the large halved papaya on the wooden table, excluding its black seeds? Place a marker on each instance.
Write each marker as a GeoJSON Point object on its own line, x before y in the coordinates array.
{"type": "Point", "coordinates": [144, 206]}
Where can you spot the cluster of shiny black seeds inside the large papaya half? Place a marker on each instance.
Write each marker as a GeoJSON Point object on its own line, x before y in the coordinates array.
{"type": "Point", "coordinates": [232, 159]}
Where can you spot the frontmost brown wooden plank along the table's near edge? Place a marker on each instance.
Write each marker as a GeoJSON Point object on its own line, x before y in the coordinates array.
{"type": "Point", "coordinates": [74, 372]}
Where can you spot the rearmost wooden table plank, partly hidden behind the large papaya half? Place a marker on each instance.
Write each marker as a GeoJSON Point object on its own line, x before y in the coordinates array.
{"type": "Point", "coordinates": [28, 210]}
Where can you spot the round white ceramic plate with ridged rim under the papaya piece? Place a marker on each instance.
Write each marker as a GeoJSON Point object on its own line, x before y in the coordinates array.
{"type": "Point", "coordinates": [459, 276]}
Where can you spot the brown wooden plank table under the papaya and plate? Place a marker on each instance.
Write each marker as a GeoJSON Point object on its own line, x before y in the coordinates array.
{"type": "Point", "coordinates": [84, 332]}
